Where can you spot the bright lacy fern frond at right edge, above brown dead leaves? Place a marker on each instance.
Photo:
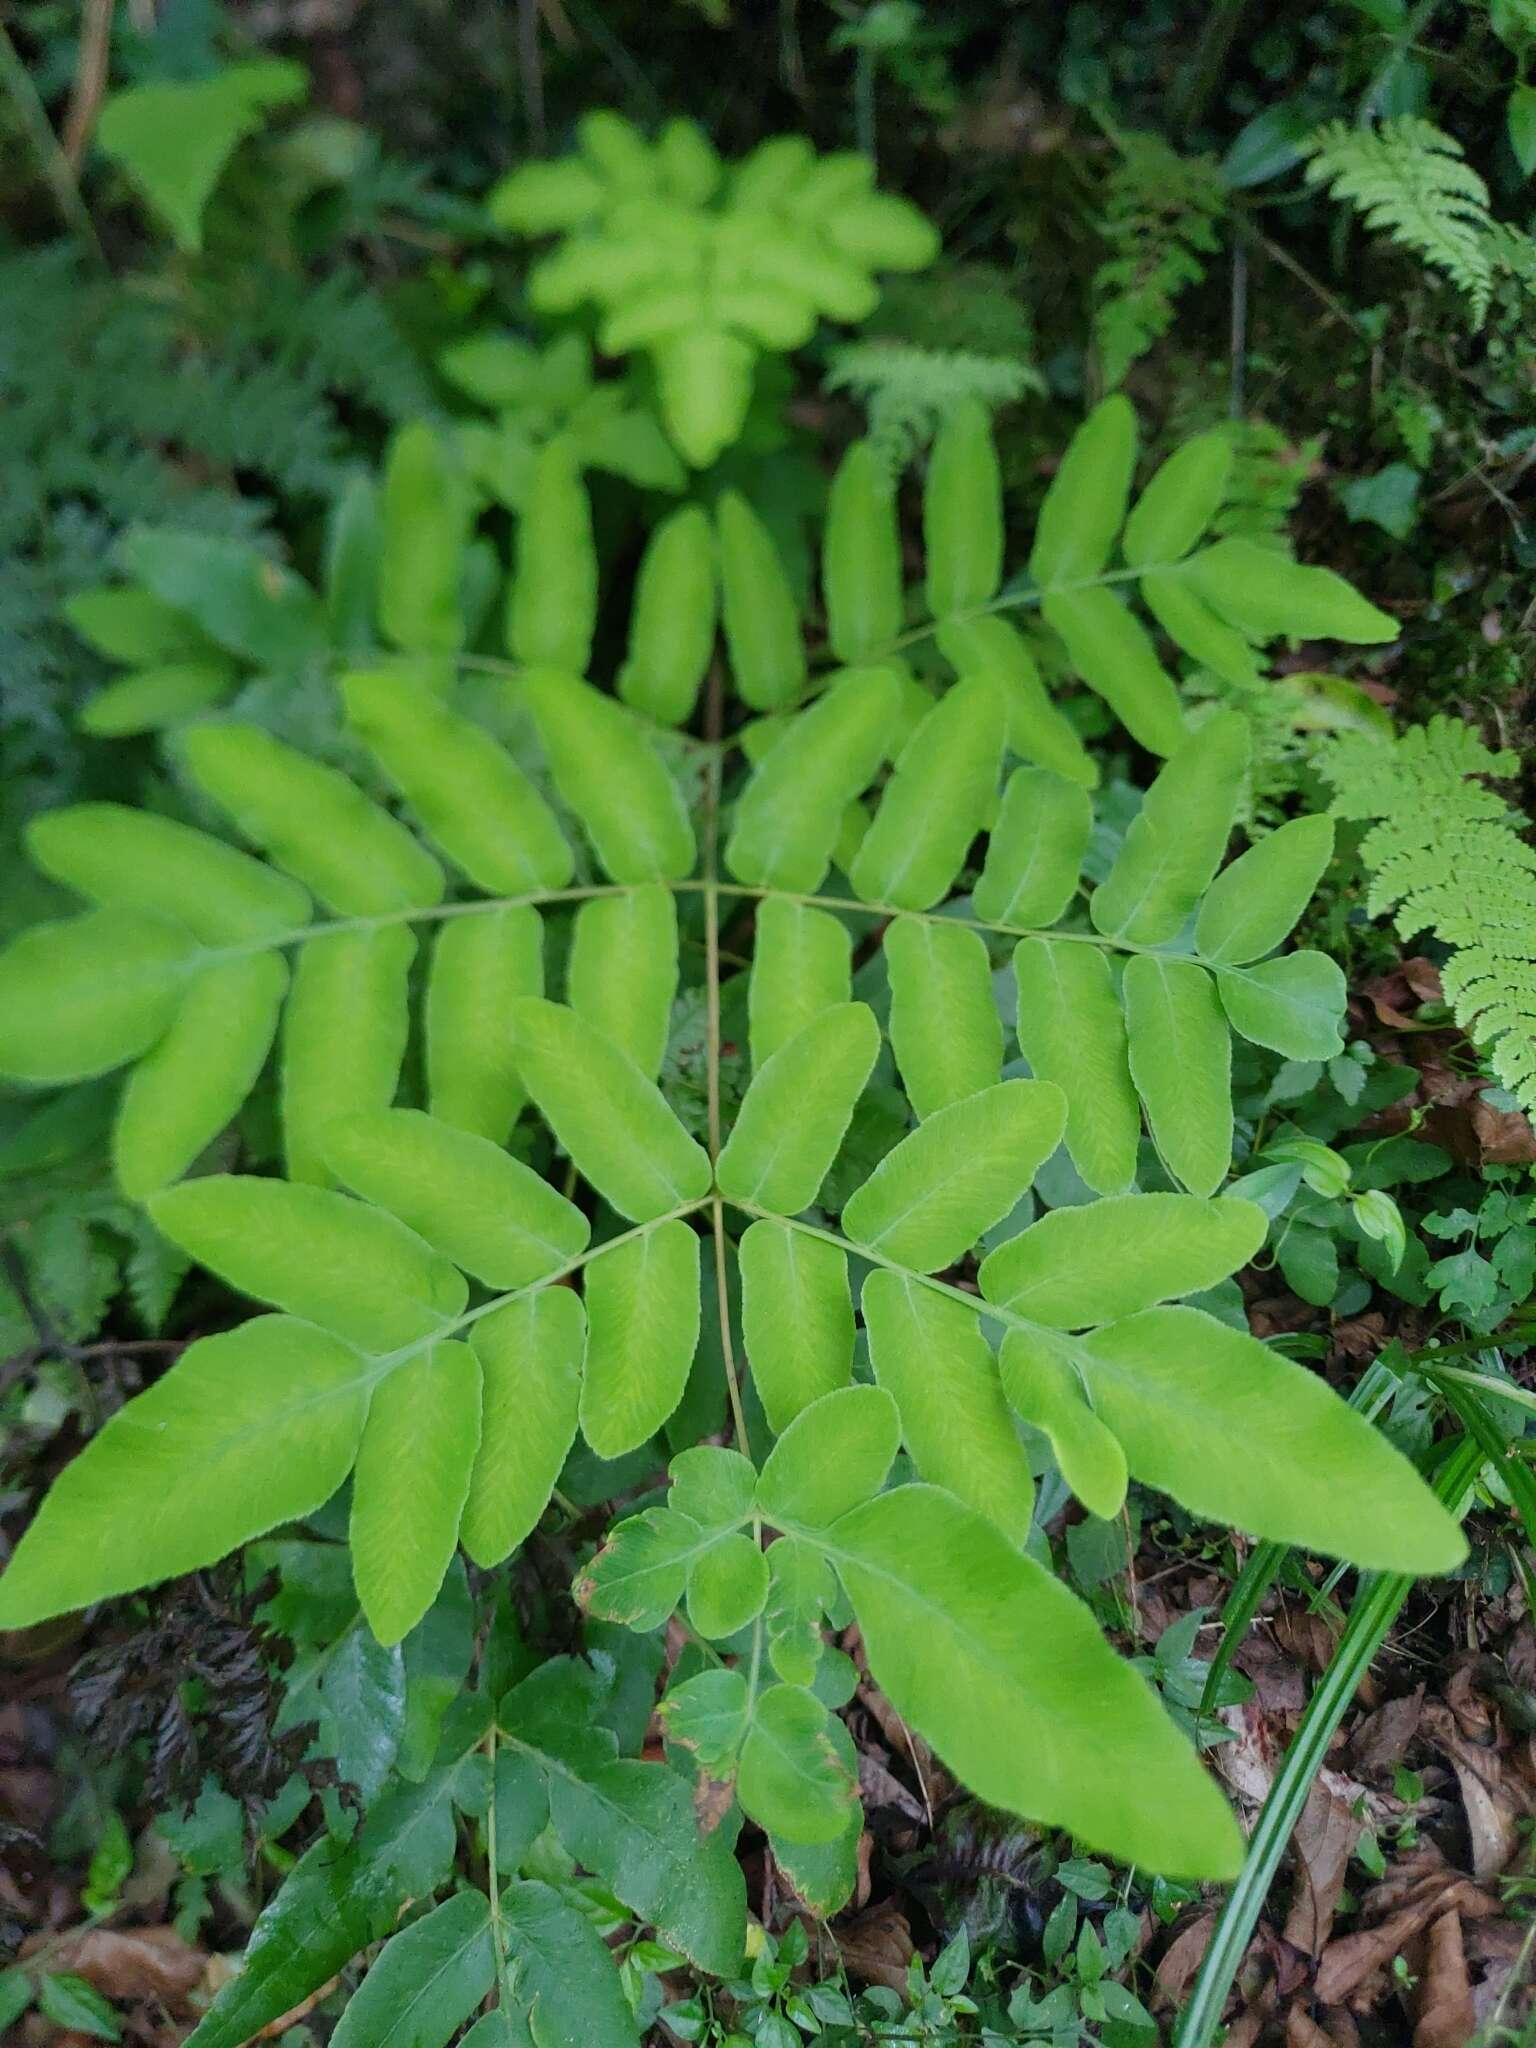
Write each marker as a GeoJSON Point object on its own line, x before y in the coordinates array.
{"type": "Point", "coordinates": [1447, 857]}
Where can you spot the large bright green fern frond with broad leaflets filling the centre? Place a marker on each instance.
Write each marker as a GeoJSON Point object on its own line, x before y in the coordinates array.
{"type": "Point", "coordinates": [466, 1295]}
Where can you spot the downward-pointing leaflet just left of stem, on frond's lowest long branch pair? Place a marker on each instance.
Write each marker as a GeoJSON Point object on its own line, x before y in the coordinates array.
{"type": "Point", "coordinates": [642, 1304]}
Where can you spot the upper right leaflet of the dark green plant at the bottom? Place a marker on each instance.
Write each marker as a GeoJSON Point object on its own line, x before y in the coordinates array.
{"type": "Point", "coordinates": [634, 1826]}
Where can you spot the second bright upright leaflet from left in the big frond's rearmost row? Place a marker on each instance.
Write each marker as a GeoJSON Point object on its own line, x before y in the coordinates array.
{"type": "Point", "coordinates": [554, 595]}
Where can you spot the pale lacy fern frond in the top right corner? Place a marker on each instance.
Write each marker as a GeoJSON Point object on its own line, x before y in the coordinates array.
{"type": "Point", "coordinates": [1410, 179]}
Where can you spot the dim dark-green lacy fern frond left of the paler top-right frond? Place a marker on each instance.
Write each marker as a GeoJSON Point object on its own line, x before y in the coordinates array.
{"type": "Point", "coordinates": [1160, 220]}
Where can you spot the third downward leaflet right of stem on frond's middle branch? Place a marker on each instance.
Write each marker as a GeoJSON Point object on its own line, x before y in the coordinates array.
{"type": "Point", "coordinates": [1072, 1031]}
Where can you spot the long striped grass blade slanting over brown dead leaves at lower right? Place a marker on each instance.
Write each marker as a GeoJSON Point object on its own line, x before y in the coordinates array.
{"type": "Point", "coordinates": [1375, 1611]}
